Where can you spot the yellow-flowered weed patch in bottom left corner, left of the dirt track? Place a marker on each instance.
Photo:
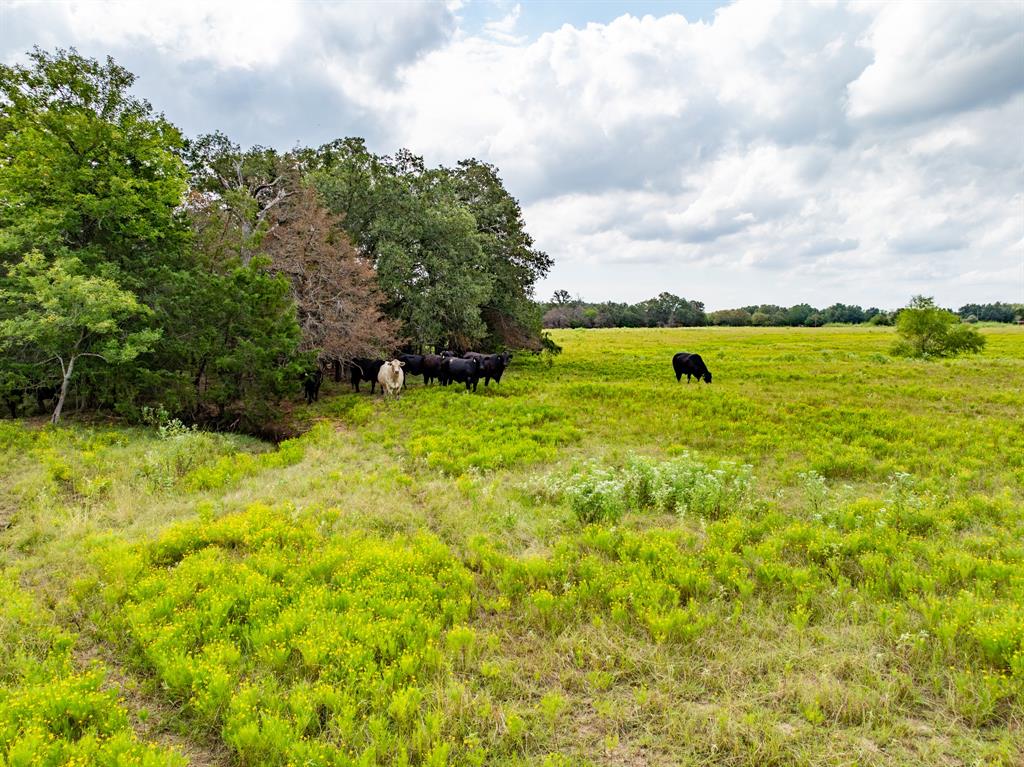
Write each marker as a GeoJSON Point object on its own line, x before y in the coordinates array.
{"type": "Point", "coordinates": [52, 714]}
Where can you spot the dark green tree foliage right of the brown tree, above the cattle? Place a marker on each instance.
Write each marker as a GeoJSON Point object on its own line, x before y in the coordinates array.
{"type": "Point", "coordinates": [451, 248]}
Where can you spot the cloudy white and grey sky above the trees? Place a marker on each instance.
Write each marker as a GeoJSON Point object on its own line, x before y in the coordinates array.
{"type": "Point", "coordinates": [752, 152]}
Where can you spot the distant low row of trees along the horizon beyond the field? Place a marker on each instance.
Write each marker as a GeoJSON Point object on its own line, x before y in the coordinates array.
{"type": "Point", "coordinates": [668, 311]}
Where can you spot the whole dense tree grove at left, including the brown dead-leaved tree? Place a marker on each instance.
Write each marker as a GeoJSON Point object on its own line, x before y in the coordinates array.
{"type": "Point", "coordinates": [140, 268]}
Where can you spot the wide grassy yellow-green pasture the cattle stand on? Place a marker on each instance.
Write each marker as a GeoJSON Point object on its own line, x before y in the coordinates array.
{"type": "Point", "coordinates": [818, 560]}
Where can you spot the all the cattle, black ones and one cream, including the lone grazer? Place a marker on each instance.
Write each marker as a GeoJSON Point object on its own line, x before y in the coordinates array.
{"type": "Point", "coordinates": [448, 368]}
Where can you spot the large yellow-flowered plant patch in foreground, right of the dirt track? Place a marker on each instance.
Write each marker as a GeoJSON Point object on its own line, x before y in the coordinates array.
{"type": "Point", "coordinates": [301, 649]}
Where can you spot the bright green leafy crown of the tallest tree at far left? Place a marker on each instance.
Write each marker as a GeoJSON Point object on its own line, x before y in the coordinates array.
{"type": "Point", "coordinates": [89, 171]}
